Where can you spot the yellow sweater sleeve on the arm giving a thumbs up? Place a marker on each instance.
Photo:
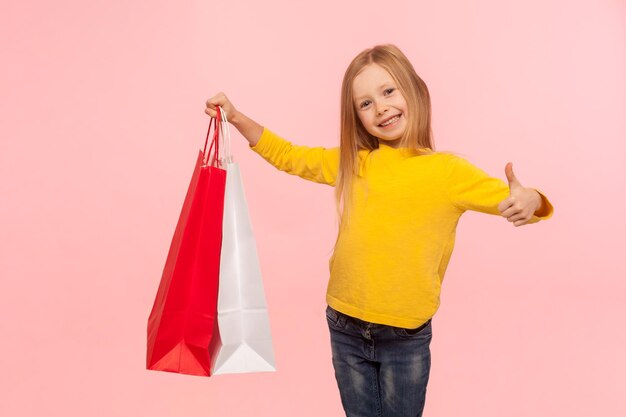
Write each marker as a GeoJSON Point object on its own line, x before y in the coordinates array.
{"type": "Point", "coordinates": [471, 188]}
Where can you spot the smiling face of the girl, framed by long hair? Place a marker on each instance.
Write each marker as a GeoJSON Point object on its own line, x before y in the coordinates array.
{"type": "Point", "coordinates": [379, 104]}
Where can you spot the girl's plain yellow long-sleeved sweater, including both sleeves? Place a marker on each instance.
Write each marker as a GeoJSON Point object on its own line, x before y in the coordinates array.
{"type": "Point", "coordinates": [389, 264]}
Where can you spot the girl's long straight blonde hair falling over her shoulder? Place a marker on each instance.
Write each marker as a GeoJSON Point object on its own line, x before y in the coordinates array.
{"type": "Point", "coordinates": [417, 138]}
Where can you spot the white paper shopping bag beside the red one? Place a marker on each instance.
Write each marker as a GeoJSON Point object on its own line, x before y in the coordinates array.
{"type": "Point", "coordinates": [243, 319]}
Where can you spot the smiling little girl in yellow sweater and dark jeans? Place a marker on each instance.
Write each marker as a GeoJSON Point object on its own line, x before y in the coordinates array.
{"type": "Point", "coordinates": [398, 203]}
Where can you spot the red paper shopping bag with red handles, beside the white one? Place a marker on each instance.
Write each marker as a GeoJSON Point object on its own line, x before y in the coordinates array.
{"type": "Point", "coordinates": [182, 327]}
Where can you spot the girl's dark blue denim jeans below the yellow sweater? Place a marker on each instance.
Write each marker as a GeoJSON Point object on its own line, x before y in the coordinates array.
{"type": "Point", "coordinates": [381, 371]}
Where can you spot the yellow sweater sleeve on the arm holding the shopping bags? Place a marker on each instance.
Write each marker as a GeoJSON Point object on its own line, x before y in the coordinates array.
{"type": "Point", "coordinates": [316, 164]}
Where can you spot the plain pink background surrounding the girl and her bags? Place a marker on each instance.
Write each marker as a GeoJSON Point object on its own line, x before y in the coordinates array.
{"type": "Point", "coordinates": [102, 115]}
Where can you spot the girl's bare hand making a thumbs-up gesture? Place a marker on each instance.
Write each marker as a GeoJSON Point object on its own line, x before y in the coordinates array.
{"type": "Point", "coordinates": [522, 202]}
